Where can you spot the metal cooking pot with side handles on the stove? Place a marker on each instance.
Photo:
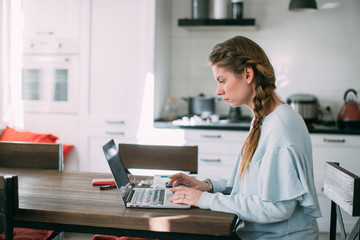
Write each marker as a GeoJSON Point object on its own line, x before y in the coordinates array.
{"type": "Point", "coordinates": [201, 105]}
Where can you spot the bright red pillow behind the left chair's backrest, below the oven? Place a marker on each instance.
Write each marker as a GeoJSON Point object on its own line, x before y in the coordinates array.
{"type": "Point", "coordinates": [12, 135]}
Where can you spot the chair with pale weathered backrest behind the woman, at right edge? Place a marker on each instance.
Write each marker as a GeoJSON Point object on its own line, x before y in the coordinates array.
{"type": "Point", "coordinates": [343, 189]}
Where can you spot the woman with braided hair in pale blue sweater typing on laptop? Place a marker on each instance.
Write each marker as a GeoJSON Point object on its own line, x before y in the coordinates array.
{"type": "Point", "coordinates": [271, 187]}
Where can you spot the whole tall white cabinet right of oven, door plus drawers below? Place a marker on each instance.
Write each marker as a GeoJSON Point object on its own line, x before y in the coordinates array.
{"type": "Point", "coordinates": [121, 60]}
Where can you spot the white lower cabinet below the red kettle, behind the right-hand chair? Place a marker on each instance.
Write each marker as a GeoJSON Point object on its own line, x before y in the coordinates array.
{"type": "Point", "coordinates": [344, 149]}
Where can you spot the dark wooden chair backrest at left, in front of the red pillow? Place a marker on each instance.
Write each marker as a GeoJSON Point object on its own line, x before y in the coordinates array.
{"type": "Point", "coordinates": [31, 155]}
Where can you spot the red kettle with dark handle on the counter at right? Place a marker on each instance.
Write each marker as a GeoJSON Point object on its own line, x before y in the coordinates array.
{"type": "Point", "coordinates": [349, 115]}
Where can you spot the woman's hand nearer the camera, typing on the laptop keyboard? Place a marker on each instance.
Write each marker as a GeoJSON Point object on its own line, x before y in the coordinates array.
{"type": "Point", "coordinates": [186, 195]}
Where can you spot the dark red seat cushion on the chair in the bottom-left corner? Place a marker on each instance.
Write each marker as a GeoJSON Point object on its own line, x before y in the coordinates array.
{"type": "Point", "coordinates": [29, 234]}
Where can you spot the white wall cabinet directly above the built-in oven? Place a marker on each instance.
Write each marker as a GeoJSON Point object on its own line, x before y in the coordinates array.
{"type": "Point", "coordinates": [51, 26]}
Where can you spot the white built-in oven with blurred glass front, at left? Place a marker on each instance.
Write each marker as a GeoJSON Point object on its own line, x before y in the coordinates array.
{"type": "Point", "coordinates": [50, 73]}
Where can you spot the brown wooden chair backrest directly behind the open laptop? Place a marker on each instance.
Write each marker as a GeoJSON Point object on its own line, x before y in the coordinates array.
{"type": "Point", "coordinates": [180, 158]}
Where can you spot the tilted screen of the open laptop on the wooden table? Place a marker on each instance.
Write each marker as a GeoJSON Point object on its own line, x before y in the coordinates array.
{"type": "Point", "coordinates": [117, 169]}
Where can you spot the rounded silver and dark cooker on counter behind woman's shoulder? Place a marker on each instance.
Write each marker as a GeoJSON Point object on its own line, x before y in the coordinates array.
{"type": "Point", "coordinates": [306, 105]}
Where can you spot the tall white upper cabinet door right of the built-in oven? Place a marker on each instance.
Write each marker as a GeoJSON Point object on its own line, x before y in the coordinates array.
{"type": "Point", "coordinates": [120, 52]}
